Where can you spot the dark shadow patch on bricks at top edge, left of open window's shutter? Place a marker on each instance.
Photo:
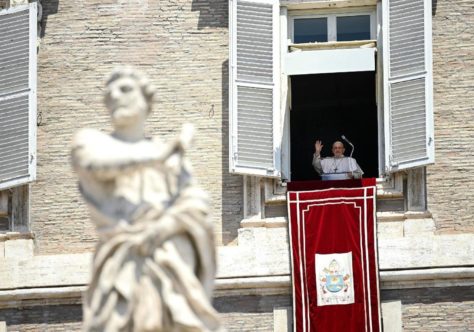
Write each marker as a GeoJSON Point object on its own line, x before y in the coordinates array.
{"type": "Point", "coordinates": [212, 13]}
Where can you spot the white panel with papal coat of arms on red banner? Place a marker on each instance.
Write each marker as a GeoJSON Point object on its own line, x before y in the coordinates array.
{"type": "Point", "coordinates": [334, 279]}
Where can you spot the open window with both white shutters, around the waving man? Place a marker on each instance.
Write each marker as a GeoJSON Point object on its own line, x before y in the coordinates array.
{"type": "Point", "coordinates": [367, 69]}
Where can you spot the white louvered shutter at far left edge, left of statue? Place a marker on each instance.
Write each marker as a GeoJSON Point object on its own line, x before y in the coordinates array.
{"type": "Point", "coordinates": [18, 27]}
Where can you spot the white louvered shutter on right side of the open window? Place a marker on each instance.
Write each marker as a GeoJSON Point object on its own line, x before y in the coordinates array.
{"type": "Point", "coordinates": [408, 87]}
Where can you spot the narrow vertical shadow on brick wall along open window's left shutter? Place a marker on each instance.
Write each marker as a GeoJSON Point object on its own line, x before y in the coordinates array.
{"type": "Point", "coordinates": [232, 188]}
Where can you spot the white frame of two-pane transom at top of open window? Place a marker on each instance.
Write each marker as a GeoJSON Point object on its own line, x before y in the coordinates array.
{"type": "Point", "coordinates": [332, 20]}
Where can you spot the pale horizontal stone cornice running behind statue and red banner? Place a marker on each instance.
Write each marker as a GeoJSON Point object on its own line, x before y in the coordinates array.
{"type": "Point", "coordinates": [259, 265]}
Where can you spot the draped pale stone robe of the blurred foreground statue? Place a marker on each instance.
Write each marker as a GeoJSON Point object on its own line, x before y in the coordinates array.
{"type": "Point", "coordinates": [155, 264]}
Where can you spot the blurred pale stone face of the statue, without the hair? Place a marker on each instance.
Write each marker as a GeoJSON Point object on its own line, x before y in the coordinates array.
{"type": "Point", "coordinates": [126, 102]}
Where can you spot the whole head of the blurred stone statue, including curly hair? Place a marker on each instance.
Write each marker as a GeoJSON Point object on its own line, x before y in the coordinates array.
{"type": "Point", "coordinates": [128, 96]}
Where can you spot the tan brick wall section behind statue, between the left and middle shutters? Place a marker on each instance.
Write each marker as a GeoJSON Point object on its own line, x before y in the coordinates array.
{"type": "Point", "coordinates": [183, 46]}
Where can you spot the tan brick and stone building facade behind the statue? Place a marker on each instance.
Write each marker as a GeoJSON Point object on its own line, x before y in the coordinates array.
{"type": "Point", "coordinates": [425, 220]}
